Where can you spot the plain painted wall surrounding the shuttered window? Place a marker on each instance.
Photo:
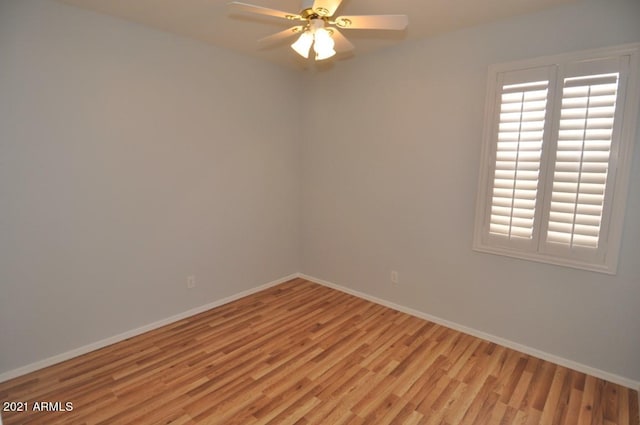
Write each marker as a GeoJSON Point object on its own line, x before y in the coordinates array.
{"type": "Point", "coordinates": [391, 184]}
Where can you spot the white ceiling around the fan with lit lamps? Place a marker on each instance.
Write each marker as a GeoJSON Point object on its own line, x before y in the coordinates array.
{"type": "Point", "coordinates": [212, 22]}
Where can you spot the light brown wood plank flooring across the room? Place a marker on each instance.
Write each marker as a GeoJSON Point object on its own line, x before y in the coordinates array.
{"type": "Point", "coordinates": [300, 353]}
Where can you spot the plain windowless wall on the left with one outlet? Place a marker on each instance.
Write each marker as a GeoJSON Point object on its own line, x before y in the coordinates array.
{"type": "Point", "coordinates": [129, 160]}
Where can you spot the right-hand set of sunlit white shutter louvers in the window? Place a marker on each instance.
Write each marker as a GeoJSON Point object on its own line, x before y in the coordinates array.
{"type": "Point", "coordinates": [582, 160]}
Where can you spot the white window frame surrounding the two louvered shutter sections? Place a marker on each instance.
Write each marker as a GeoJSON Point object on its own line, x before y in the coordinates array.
{"type": "Point", "coordinates": [617, 186]}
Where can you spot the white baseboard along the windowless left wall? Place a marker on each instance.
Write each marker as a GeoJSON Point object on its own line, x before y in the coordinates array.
{"type": "Point", "coordinates": [5, 376]}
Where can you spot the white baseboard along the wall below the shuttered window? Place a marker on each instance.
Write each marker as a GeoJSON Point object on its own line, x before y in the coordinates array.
{"type": "Point", "coordinates": [611, 377]}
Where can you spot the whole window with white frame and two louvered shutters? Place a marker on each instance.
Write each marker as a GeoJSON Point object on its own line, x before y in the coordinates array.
{"type": "Point", "coordinates": [556, 158]}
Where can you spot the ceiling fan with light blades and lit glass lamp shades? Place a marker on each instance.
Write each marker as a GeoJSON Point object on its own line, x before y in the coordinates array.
{"type": "Point", "coordinates": [316, 26]}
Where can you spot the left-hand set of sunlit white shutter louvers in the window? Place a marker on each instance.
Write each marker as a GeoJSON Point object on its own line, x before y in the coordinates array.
{"type": "Point", "coordinates": [517, 163]}
